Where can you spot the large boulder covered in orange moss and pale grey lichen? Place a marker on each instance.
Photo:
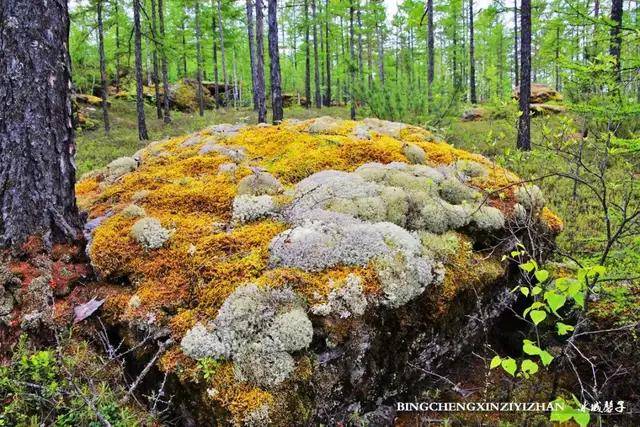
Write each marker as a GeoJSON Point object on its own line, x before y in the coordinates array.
{"type": "Point", "coordinates": [271, 252]}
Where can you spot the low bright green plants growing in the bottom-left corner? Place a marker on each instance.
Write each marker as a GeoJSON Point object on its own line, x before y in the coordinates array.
{"type": "Point", "coordinates": [48, 387]}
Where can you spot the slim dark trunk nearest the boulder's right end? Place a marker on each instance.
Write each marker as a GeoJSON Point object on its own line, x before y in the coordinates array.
{"type": "Point", "coordinates": [524, 121]}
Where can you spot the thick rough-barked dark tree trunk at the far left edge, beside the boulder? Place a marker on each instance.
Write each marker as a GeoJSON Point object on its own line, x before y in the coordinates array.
{"type": "Point", "coordinates": [37, 176]}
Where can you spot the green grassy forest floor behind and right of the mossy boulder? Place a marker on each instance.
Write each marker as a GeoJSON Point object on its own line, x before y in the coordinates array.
{"type": "Point", "coordinates": [494, 138]}
